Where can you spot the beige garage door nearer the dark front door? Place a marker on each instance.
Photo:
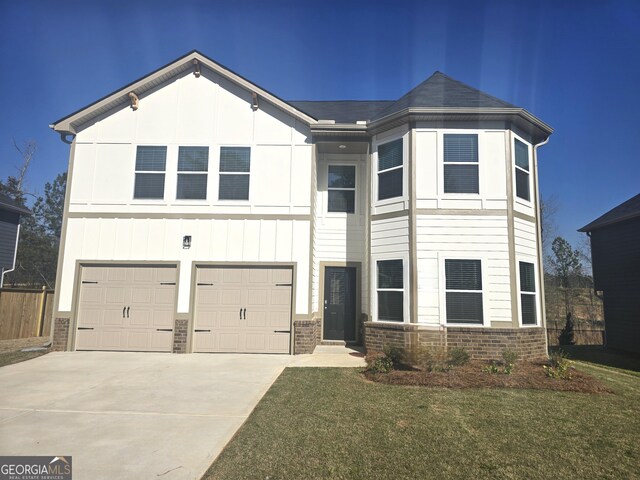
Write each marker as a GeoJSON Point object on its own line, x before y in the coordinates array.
{"type": "Point", "coordinates": [244, 310]}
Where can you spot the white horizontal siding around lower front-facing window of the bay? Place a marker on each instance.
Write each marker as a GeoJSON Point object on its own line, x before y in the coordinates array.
{"type": "Point", "coordinates": [485, 238]}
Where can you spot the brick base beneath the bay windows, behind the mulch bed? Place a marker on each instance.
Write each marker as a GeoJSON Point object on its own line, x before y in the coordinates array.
{"type": "Point", "coordinates": [480, 343]}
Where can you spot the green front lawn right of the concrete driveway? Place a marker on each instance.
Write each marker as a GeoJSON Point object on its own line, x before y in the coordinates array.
{"type": "Point", "coordinates": [332, 424]}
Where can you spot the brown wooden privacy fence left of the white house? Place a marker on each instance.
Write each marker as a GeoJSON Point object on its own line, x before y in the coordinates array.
{"type": "Point", "coordinates": [25, 312]}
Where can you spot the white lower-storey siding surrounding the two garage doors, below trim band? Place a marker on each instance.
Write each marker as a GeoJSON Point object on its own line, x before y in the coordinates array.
{"type": "Point", "coordinates": [157, 240]}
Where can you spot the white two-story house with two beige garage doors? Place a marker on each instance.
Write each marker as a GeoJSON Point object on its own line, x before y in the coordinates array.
{"type": "Point", "coordinates": [205, 214]}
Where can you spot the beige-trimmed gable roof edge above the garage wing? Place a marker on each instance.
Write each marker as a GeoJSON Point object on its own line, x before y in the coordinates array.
{"type": "Point", "coordinates": [120, 97]}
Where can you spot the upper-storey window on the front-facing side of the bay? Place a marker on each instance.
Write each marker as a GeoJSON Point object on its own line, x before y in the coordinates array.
{"type": "Point", "coordinates": [461, 163]}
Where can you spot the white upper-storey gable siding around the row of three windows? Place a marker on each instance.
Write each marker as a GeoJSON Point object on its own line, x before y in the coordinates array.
{"type": "Point", "coordinates": [206, 111]}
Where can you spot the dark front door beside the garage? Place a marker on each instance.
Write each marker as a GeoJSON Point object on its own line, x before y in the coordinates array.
{"type": "Point", "coordinates": [340, 303]}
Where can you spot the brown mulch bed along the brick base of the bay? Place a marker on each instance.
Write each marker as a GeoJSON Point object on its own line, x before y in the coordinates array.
{"type": "Point", "coordinates": [528, 375]}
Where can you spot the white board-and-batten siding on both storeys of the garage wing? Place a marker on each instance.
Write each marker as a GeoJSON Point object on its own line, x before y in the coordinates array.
{"type": "Point", "coordinates": [188, 111]}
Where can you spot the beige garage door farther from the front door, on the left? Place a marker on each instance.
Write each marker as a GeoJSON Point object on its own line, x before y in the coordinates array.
{"type": "Point", "coordinates": [126, 308]}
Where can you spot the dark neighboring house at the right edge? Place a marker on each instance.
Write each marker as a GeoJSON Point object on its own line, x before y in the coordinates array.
{"type": "Point", "coordinates": [615, 254]}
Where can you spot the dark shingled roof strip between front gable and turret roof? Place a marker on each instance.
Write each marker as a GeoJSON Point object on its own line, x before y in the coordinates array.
{"type": "Point", "coordinates": [342, 111]}
